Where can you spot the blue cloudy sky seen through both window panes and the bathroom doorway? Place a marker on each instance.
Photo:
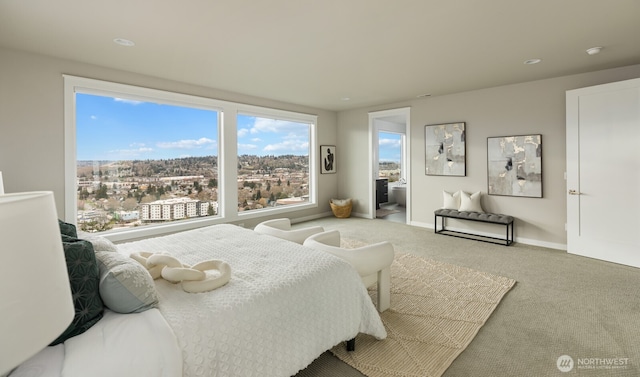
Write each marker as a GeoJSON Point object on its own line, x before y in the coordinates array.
{"type": "Point", "coordinates": [114, 129]}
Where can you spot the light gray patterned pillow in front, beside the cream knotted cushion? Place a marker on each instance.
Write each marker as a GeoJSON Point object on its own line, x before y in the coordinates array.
{"type": "Point", "coordinates": [125, 285]}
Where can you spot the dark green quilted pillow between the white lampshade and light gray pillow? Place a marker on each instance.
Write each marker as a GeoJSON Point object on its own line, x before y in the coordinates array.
{"type": "Point", "coordinates": [83, 277]}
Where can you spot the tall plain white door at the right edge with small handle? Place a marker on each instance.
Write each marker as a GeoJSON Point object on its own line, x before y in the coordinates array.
{"type": "Point", "coordinates": [603, 172]}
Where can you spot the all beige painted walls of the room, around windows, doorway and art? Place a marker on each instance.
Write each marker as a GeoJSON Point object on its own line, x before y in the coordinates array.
{"type": "Point", "coordinates": [32, 155]}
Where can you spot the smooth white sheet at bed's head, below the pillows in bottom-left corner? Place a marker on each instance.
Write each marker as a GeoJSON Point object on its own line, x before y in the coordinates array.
{"type": "Point", "coordinates": [123, 345]}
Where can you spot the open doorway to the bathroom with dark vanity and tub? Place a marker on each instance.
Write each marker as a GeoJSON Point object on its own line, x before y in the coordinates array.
{"type": "Point", "coordinates": [390, 183]}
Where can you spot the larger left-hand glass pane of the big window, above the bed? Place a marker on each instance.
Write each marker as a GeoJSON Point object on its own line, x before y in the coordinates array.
{"type": "Point", "coordinates": [141, 163]}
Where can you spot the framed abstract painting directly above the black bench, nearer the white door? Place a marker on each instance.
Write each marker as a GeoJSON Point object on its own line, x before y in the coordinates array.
{"type": "Point", "coordinates": [514, 165]}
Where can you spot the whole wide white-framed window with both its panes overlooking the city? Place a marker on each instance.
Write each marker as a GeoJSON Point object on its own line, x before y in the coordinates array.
{"type": "Point", "coordinates": [143, 162]}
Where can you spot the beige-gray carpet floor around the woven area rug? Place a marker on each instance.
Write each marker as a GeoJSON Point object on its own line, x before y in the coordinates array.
{"type": "Point", "coordinates": [562, 305]}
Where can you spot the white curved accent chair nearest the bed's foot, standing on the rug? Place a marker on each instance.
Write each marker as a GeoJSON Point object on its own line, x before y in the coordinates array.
{"type": "Point", "coordinates": [373, 262]}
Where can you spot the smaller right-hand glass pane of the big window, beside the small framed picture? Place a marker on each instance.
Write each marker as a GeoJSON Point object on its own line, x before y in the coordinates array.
{"type": "Point", "coordinates": [273, 163]}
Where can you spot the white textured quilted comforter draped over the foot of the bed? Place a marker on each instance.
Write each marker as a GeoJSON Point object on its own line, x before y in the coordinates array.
{"type": "Point", "coordinates": [284, 306]}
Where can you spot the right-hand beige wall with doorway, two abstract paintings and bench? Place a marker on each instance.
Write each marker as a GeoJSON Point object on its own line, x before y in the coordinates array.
{"type": "Point", "coordinates": [536, 107]}
